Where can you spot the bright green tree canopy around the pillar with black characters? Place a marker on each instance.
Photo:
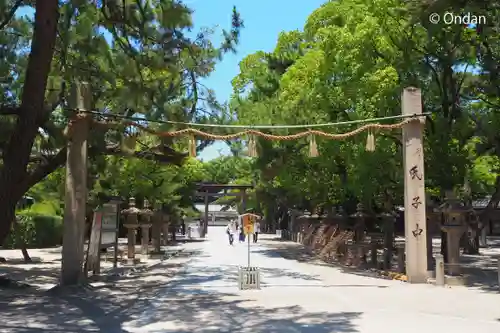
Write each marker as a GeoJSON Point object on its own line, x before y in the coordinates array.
{"type": "Point", "coordinates": [352, 61]}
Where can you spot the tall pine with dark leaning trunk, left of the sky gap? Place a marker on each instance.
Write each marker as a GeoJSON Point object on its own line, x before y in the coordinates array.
{"type": "Point", "coordinates": [136, 56]}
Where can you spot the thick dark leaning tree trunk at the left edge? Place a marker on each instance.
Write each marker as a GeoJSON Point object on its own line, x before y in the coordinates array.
{"type": "Point", "coordinates": [31, 114]}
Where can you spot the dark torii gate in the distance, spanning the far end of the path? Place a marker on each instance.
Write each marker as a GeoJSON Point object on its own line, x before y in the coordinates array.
{"type": "Point", "coordinates": [207, 190]}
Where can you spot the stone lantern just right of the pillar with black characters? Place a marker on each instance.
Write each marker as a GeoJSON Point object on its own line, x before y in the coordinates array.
{"type": "Point", "coordinates": [455, 215]}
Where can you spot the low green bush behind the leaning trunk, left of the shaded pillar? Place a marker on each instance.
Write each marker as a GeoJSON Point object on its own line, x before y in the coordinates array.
{"type": "Point", "coordinates": [36, 230]}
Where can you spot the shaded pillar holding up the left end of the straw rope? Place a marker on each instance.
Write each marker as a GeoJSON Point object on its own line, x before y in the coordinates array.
{"type": "Point", "coordinates": [75, 188]}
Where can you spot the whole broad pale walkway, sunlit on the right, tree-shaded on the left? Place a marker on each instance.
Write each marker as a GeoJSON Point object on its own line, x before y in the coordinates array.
{"type": "Point", "coordinates": [197, 293]}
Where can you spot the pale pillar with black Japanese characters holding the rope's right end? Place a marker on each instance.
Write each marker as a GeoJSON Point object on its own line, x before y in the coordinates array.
{"type": "Point", "coordinates": [414, 184]}
